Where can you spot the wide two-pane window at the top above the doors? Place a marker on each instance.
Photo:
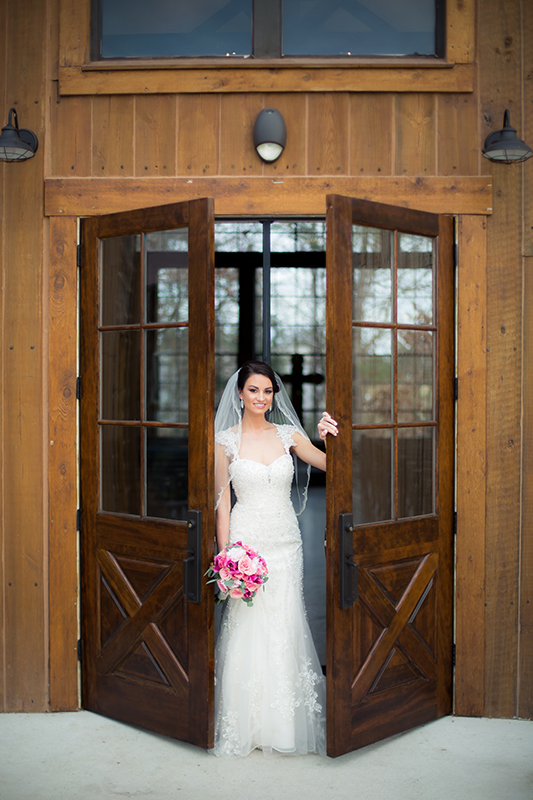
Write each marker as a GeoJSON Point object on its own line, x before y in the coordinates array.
{"type": "Point", "coordinates": [267, 28]}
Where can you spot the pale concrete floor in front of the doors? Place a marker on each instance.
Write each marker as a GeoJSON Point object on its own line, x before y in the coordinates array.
{"type": "Point", "coordinates": [82, 756]}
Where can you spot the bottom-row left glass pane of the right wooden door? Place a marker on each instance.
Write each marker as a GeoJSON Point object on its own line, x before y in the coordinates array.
{"type": "Point", "coordinates": [372, 476]}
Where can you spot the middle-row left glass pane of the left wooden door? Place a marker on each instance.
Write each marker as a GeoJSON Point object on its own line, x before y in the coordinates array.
{"type": "Point", "coordinates": [120, 382]}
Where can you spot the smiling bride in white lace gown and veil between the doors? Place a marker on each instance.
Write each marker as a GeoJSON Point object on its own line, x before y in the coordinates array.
{"type": "Point", "coordinates": [269, 687]}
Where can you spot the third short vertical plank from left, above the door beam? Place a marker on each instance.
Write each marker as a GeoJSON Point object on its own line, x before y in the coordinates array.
{"type": "Point", "coordinates": [155, 135]}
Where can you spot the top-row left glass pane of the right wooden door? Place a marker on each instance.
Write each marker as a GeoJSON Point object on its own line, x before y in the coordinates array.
{"type": "Point", "coordinates": [372, 267]}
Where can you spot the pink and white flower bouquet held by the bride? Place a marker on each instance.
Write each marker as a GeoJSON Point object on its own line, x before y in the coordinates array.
{"type": "Point", "coordinates": [239, 572]}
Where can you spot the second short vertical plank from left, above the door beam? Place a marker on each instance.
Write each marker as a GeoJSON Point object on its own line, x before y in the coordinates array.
{"type": "Point", "coordinates": [113, 139]}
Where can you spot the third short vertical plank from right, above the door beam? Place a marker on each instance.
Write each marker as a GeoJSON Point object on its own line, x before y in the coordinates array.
{"type": "Point", "coordinates": [371, 132]}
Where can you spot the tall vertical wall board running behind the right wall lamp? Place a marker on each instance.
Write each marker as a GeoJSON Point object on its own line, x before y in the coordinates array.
{"type": "Point", "coordinates": [499, 51]}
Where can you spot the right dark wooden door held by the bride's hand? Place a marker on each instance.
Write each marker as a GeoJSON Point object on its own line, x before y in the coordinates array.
{"type": "Point", "coordinates": [389, 654]}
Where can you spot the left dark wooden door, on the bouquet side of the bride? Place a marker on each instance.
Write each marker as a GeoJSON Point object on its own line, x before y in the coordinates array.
{"type": "Point", "coordinates": [148, 644]}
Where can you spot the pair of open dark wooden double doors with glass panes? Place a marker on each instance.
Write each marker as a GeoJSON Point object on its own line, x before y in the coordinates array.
{"type": "Point", "coordinates": [146, 437]}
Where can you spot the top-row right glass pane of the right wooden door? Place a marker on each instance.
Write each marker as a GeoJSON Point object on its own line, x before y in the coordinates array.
{"type": "Point", "coordinates": [415, 279]}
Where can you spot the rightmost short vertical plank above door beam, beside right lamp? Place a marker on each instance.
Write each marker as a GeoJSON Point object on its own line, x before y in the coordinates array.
{"type": "Point", "coordinates": [458, 145]}
